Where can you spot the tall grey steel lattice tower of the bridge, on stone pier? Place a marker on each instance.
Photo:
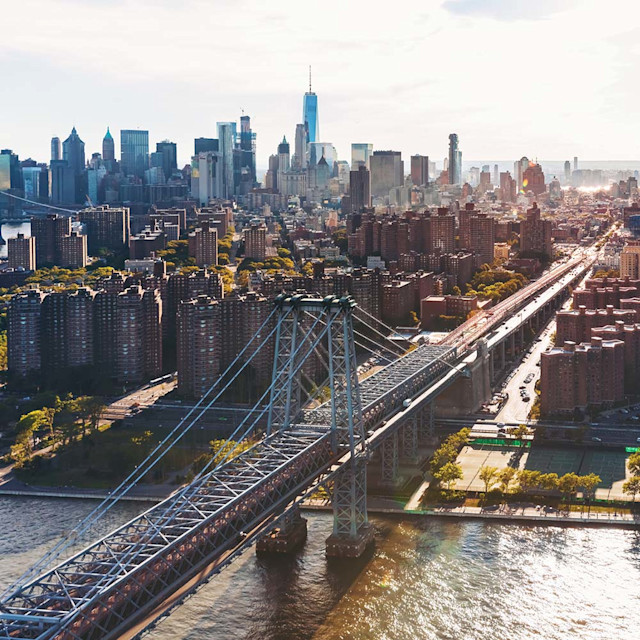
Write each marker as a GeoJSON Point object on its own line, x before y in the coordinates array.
{"type": "Point", "coordinates": [352, 532]}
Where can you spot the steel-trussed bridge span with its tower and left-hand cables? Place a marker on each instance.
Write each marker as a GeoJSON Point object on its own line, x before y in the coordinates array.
{"type": "Point", "coordinates": [101, 589]}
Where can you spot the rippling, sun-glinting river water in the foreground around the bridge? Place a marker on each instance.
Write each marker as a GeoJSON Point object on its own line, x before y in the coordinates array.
{"type": "Point", "coordinates": [428, 579]}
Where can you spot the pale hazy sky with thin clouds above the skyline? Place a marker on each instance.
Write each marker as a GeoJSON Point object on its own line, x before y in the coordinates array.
{"type": "Point", "coordinates": [543, 78]}
